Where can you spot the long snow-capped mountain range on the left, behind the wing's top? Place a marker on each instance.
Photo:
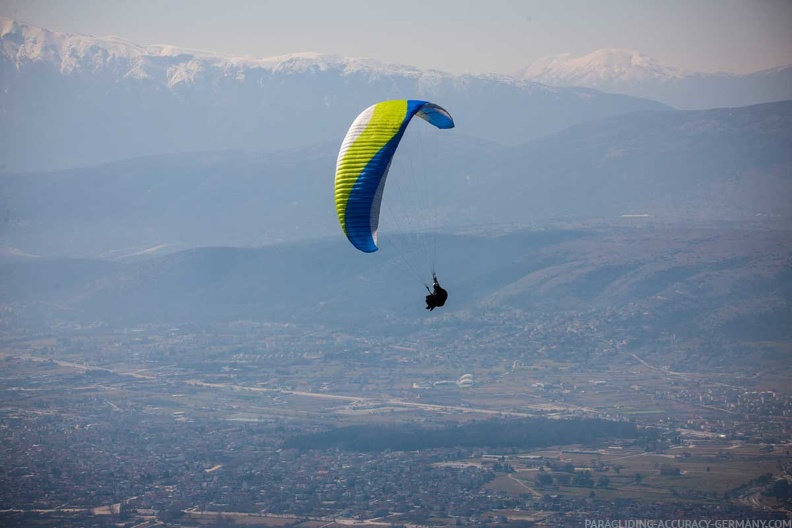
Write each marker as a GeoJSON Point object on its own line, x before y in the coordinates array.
{"type": "Point", "coordinates": [70, 100]}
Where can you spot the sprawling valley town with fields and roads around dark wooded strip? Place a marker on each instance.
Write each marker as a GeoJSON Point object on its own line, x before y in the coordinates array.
{"type": "Point", "coordinates": [187, 424]}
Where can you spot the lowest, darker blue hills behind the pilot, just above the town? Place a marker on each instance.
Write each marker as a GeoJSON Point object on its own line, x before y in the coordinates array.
{"type": "Point", "coordinates": [638, 280]}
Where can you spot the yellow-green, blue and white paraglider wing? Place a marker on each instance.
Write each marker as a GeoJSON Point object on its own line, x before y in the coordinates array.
{"type": "Point", "coordinates": [364, 160]}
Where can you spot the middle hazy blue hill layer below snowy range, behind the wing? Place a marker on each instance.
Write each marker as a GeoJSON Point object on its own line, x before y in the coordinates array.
{"type": "Point", "coordinates": [726, 165]}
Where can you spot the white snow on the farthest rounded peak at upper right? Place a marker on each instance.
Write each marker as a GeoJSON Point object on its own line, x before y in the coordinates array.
{"type": "Point", "coordinates": [601, 67]}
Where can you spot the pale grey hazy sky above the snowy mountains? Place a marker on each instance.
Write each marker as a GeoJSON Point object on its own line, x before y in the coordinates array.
{"type": "Point", "coordinates": [458, 36]}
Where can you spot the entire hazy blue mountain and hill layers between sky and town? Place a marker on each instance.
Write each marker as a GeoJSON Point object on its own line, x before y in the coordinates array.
{"type": "Point", "coordinates": [148, 184]}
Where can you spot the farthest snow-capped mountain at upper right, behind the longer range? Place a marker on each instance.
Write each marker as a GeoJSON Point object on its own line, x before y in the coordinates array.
{"type": "Point", "coordinates": [633, 73]}
